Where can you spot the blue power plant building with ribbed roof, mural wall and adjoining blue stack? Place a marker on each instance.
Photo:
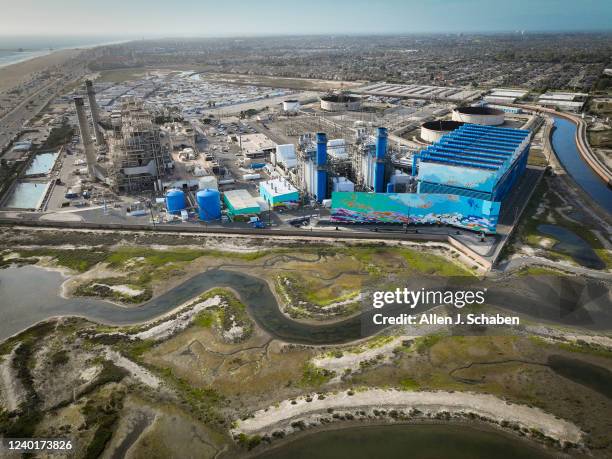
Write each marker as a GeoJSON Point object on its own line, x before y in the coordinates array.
{"type": "Point", "coordinates": [462, 180]}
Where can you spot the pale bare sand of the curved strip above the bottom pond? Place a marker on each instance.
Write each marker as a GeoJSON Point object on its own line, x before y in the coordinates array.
{"type": "Point", "coordinates": [281, 416]}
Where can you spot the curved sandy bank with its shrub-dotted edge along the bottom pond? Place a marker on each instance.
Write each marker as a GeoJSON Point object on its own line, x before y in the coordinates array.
{"type": "Point", "coordinates": [300, 414]}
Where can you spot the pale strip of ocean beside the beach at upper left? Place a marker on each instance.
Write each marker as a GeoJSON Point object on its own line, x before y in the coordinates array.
{"type": "Point", "coordinates": [14, 49]}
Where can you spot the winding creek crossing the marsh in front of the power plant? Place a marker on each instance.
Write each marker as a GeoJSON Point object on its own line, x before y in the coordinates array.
{"type": "Point", "coordinates": [29, 294]}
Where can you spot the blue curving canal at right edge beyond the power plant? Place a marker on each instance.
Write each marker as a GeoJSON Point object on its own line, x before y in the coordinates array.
{"type": "Point", "coordinates": [564, 144]}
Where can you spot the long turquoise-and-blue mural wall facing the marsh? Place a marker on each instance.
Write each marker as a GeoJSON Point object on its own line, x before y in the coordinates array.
{"type": "Point", "coordinates": [461, 211]}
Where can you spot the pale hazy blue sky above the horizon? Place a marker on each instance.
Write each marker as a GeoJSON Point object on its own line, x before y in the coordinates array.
{"type": "Point", "coordinates": [154, 18]}
